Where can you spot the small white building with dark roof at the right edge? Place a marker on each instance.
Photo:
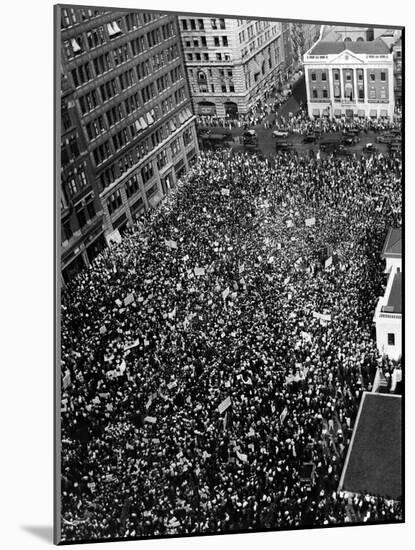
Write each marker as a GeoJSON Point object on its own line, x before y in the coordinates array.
{"type": "Point", "coordinates": [388, 313]}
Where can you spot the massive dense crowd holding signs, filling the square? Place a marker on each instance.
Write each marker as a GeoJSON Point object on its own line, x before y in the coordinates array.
{"type": "Point", "coordinates": [214, 360]}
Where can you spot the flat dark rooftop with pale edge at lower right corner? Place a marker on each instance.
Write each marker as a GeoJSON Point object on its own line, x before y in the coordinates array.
{"type": "Point", "coordinates": [374, 459]}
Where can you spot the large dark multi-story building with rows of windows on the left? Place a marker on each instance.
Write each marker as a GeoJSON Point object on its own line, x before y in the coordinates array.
{"type": "Point", "coordinates": [128, 131]}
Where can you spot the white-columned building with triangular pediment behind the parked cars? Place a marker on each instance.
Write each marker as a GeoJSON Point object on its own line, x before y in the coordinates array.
{"type": "Point", "coordinates": [350, 79]}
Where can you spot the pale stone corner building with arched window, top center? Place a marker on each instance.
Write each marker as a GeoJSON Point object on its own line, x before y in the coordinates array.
{"type": "Point", "coordinates": [231, 63]}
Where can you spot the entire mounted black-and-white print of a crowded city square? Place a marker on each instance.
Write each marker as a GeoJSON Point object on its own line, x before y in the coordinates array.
{"type": "Point", "coordinates": [229, 278]}
